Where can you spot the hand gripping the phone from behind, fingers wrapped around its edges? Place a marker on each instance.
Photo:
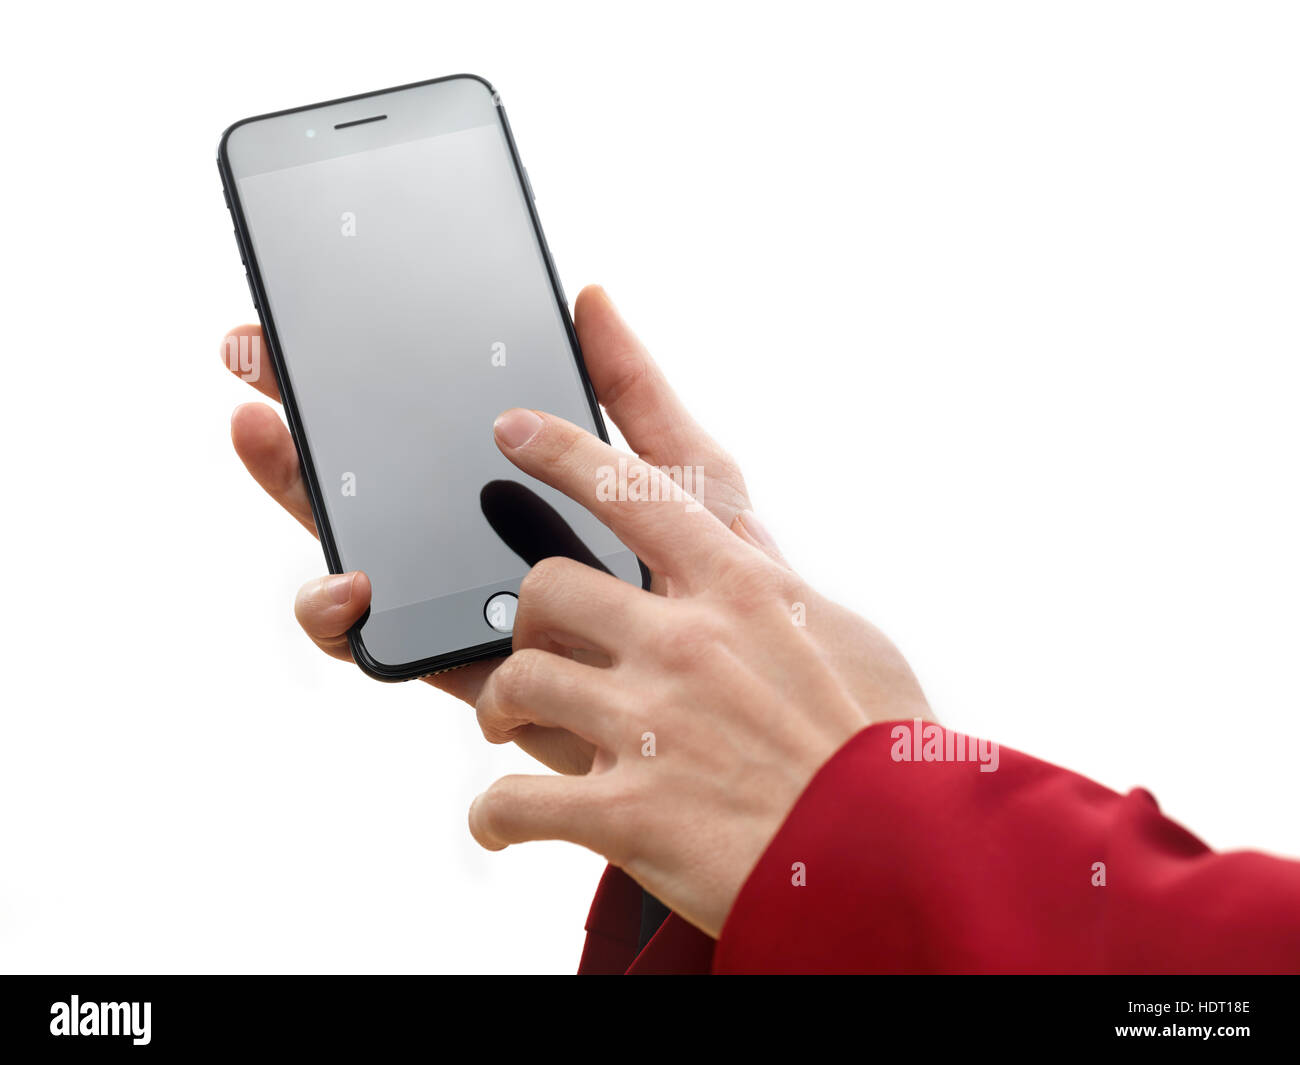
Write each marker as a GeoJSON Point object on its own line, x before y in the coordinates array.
{"type": "Point", "coordinates": [639, 401]}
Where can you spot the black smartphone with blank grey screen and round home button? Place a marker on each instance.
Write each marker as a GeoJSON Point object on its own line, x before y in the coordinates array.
{"type": "Point", "coordinates": [408, 297]}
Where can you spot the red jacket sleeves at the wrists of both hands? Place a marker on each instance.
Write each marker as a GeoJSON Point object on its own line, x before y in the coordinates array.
{"type": "Point", "coordinates": [915, 867]}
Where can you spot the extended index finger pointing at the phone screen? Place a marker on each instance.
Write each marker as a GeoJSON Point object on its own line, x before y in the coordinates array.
{"type": "Point", "coordinates": [642, 504]}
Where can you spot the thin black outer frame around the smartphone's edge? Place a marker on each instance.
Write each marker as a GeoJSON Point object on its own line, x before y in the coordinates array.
{"type": "Point", "coordinates": [361, 653]}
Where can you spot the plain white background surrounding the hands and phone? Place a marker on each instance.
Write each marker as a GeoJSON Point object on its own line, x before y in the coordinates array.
{"type": "Point", "coordinates": [995, 302]}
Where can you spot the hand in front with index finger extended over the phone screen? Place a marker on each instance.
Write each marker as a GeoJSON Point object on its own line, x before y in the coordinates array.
{"type": "Point", "coordinates": [716, 708]}
